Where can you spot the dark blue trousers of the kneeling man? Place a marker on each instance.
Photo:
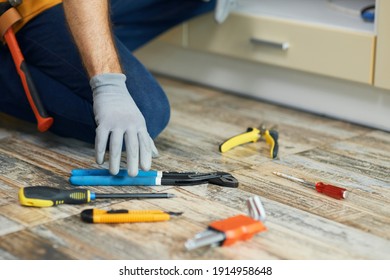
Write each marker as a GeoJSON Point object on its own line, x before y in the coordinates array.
{"type": "Point", "coordinates": [61, 79]}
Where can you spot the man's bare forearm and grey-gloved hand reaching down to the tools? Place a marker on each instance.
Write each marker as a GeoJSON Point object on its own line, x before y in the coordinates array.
{"type": "Point", "coordinates": [116, 114]}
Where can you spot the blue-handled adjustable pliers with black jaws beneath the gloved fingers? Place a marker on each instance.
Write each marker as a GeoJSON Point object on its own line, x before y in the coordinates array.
{"type": "Point", "coordinates": [102, 177]}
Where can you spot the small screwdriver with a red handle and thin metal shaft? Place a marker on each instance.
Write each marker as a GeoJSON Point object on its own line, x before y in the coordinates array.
{"type": "Point", "coordinates": [326, 189]}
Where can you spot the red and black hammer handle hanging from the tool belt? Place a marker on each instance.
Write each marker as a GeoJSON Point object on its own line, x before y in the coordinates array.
{"type": "Point", "coordinates": [44, 121]}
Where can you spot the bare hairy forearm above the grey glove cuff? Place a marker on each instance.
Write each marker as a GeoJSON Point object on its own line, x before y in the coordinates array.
{"type": "Point", "coordinates": [89, 24]}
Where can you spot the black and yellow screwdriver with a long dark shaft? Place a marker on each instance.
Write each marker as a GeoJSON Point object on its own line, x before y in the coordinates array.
{"type": "Point", "coordinates": [42, 196]}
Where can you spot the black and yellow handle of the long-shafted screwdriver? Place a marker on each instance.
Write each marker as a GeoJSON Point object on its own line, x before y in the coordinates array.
{"type": "Point", "coordinates": [42, 196]}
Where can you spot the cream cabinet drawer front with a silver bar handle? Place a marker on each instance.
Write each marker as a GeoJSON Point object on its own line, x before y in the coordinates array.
{"type": "Point", "coordinates": [315, 48]}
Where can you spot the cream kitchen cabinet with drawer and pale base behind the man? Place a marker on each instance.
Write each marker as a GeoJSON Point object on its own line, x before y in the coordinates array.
{"type": "Point", "coordinates": [306, 54]}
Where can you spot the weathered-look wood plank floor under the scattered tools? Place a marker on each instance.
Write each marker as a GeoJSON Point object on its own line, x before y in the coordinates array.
{"type": "Point", "coordinates": [302, 224]}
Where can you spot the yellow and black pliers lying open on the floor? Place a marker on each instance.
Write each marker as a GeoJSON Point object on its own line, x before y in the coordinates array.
{"type": "Point", "coordinates": [253, 134]}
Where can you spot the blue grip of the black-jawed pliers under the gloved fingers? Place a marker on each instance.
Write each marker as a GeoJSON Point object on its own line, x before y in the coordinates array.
{"type": "Point", "coordinates": [112, 181]}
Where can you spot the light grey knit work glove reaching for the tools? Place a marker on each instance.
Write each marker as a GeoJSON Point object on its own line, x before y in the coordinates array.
{"type": "Point", "coordinates": [118, 117]}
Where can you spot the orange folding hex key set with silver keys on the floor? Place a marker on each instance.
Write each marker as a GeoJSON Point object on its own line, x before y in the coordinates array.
{"type": "Point", "coordinates": [229, 231]}
